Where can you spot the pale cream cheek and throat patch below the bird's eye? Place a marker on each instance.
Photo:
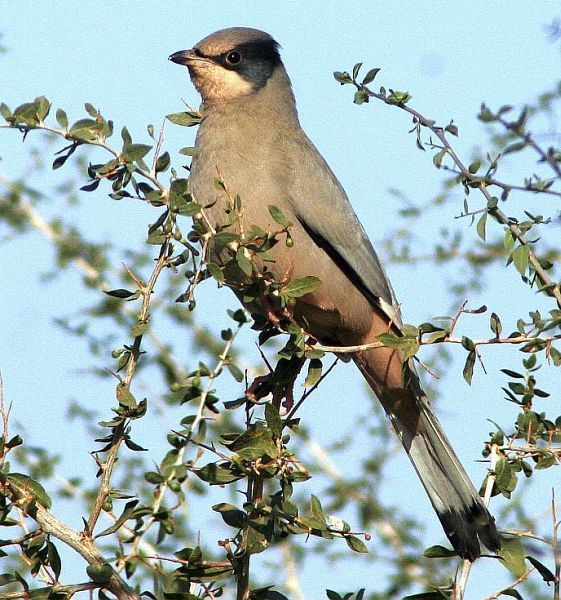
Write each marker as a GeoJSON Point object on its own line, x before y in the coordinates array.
{"type": "Point", "coordinates": [218, 84]}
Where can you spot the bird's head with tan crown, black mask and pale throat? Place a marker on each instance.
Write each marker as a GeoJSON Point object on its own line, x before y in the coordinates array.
{"type": "Point", "coordinates": [231, 63]}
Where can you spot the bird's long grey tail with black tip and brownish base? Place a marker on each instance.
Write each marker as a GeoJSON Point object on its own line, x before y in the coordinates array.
{"type": "Point", "coordinates": [464, 517]}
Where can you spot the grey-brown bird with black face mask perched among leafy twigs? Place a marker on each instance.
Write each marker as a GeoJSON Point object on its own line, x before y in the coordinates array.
{"type": "Point", "coordinates": [251, 137]}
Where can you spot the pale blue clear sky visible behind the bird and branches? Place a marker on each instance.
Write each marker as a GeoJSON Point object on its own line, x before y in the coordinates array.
{"type": "Point", "coordinates": [449, 56]}
